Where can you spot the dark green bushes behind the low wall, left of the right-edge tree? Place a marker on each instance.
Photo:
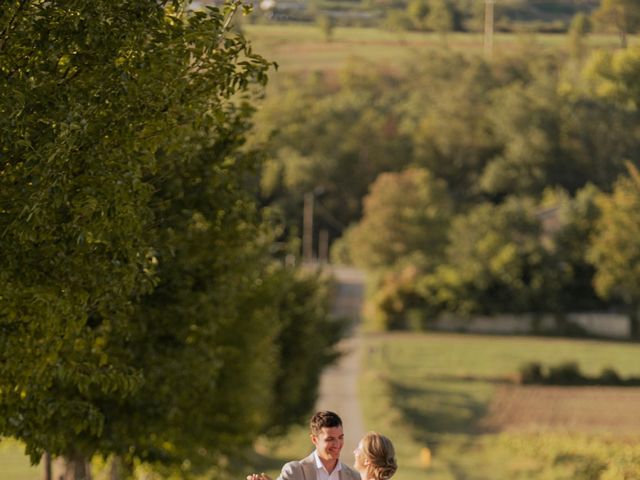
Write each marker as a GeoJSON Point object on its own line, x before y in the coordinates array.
{"type": "Point", "coordinates": [516, 257]}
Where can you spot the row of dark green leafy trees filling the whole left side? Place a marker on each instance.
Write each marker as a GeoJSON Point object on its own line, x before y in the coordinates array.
{"type": "Point", "coordinates": [142, 314]}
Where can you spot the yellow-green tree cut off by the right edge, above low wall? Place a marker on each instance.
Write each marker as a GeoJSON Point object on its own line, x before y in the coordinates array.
{"type": "Point", "coordinates": [615, 251]}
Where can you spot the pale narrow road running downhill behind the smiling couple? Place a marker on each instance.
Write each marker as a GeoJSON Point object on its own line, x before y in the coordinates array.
{"type": "Point", "coordinates": [339, 384]}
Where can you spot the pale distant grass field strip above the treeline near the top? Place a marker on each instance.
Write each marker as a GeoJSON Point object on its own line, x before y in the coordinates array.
{"type": "Point", "coordinates": [304, 48]}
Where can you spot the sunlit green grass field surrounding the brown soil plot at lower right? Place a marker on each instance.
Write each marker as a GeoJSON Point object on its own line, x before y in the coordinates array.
{"type": "Point", "coordinates": [432, 392]}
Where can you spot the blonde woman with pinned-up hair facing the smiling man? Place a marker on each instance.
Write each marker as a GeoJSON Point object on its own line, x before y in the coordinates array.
{"type": "Point", "coordinates": [375, 457]}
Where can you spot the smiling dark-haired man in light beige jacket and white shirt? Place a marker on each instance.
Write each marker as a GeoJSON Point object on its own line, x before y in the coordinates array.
{"type": "Point", "coordinates": [324, 462]}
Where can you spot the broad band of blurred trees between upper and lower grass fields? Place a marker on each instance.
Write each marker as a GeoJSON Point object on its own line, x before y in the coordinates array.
{"type": "Point", "coordinates": [469, 186]}
